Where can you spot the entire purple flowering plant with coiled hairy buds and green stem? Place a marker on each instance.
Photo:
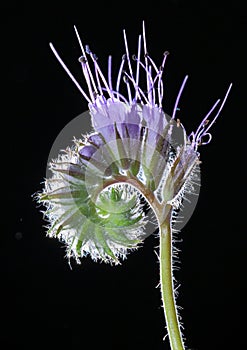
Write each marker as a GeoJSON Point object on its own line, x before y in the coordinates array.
{"type": "Point", "coordinates": [136, 153]}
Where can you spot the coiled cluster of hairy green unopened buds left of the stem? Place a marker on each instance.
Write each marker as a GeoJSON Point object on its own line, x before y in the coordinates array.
{"type": "Point", "coordinates": [104, 225]}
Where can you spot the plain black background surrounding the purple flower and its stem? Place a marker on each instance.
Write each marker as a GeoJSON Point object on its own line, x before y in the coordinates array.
{"type": "Point", "coordinates": [95, 306]}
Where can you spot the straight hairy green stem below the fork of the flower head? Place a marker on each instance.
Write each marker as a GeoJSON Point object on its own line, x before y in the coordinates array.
{"type": "Point", "coordinates": [167, 288]}
